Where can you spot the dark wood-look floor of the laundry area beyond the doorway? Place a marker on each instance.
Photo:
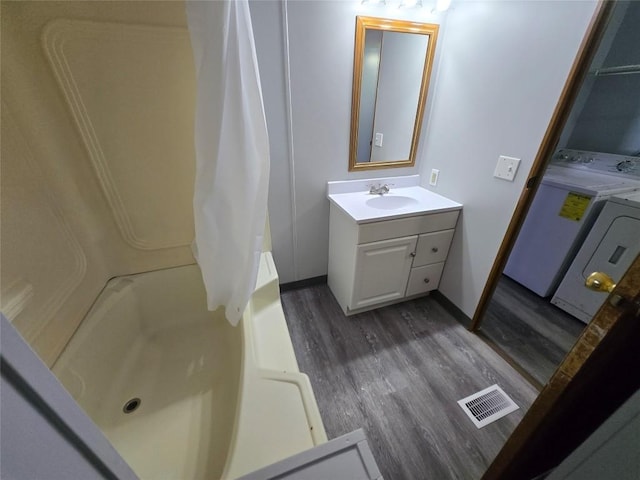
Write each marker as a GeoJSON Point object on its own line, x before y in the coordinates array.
{"type": "Point", "coordinates": [533, 332]}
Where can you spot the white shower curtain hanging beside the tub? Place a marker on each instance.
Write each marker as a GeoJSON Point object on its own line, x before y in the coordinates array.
{"type": "Point", "coordinates": [232, 153]}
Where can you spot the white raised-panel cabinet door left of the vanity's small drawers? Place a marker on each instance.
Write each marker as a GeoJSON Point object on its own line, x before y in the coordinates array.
{"type": "Point", "coordinates": [382, 270]}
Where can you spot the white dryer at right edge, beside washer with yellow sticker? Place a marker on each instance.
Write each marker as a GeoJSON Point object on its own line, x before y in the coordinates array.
{"type": "Point", "coordinates": [611, 246]}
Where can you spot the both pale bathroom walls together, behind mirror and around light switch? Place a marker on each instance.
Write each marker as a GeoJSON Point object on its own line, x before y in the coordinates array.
{"type": "Point", "coordinates": [498, 74]}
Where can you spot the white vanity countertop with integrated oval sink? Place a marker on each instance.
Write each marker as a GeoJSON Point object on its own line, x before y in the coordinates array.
{"type": "Point", "coordinates": [403, 201]}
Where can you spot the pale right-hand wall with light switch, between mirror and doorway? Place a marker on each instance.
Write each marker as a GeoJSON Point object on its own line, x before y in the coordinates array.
{"type": "Point", "coordinates": [502, 71]}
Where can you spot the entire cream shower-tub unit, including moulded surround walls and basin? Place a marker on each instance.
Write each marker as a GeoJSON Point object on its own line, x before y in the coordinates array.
{"type": "Point", "coordinates": [97, 188]}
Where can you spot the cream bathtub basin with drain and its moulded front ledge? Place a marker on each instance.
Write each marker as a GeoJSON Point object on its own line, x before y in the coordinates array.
{"type": "Point", "coordinates": [214, 401]}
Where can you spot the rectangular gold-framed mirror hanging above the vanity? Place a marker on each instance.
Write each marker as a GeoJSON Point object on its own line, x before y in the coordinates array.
{"type": "Point", "coordinates": [391, 69]}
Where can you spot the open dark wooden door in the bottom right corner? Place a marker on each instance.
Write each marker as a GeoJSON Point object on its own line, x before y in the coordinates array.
{"type": "Point", "coordinates": [593, 380]}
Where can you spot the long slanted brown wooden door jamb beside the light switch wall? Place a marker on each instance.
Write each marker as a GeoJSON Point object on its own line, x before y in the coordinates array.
{"type": "Point", "coordinates": [572, 86]}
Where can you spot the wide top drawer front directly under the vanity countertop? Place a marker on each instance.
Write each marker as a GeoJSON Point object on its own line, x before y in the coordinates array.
{"type": "Point", "coordinates": [403, 227]}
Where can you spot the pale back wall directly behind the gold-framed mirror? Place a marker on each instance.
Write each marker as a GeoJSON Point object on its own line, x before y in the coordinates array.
{"type": "Point", "coordinates": [321, 41]}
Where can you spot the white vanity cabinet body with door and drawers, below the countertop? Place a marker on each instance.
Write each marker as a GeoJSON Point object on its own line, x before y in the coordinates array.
{"type": "Point", "coordinates": [383, 262]}
